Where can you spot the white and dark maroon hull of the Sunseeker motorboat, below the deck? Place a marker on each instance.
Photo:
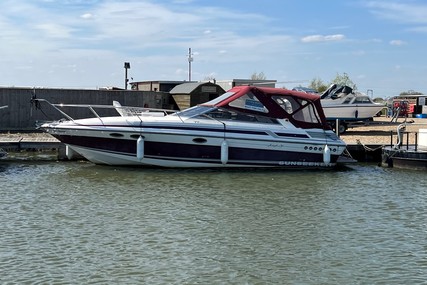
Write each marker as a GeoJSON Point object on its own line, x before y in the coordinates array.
{"type": "Point", "coordinates": [202, 148]}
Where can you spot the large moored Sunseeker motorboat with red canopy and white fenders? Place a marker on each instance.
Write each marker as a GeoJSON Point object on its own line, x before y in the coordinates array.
{"type": "Point", "coordinates": [247, 126]}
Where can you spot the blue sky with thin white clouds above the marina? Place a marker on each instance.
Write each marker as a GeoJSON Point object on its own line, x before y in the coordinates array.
{"type": "Point", "coordinates": [380, 44]}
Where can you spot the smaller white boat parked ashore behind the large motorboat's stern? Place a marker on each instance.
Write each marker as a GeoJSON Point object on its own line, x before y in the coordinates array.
{"type": "Point", "coordinates": [341, 102]}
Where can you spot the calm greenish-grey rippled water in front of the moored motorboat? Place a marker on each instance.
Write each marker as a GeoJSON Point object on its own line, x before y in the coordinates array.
{"type": "Point", "coordinates": [78, 223]}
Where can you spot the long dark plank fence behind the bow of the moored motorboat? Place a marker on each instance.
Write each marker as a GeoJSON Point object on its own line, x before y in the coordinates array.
{"type": "Point", "coordinates": [22, 116]}
